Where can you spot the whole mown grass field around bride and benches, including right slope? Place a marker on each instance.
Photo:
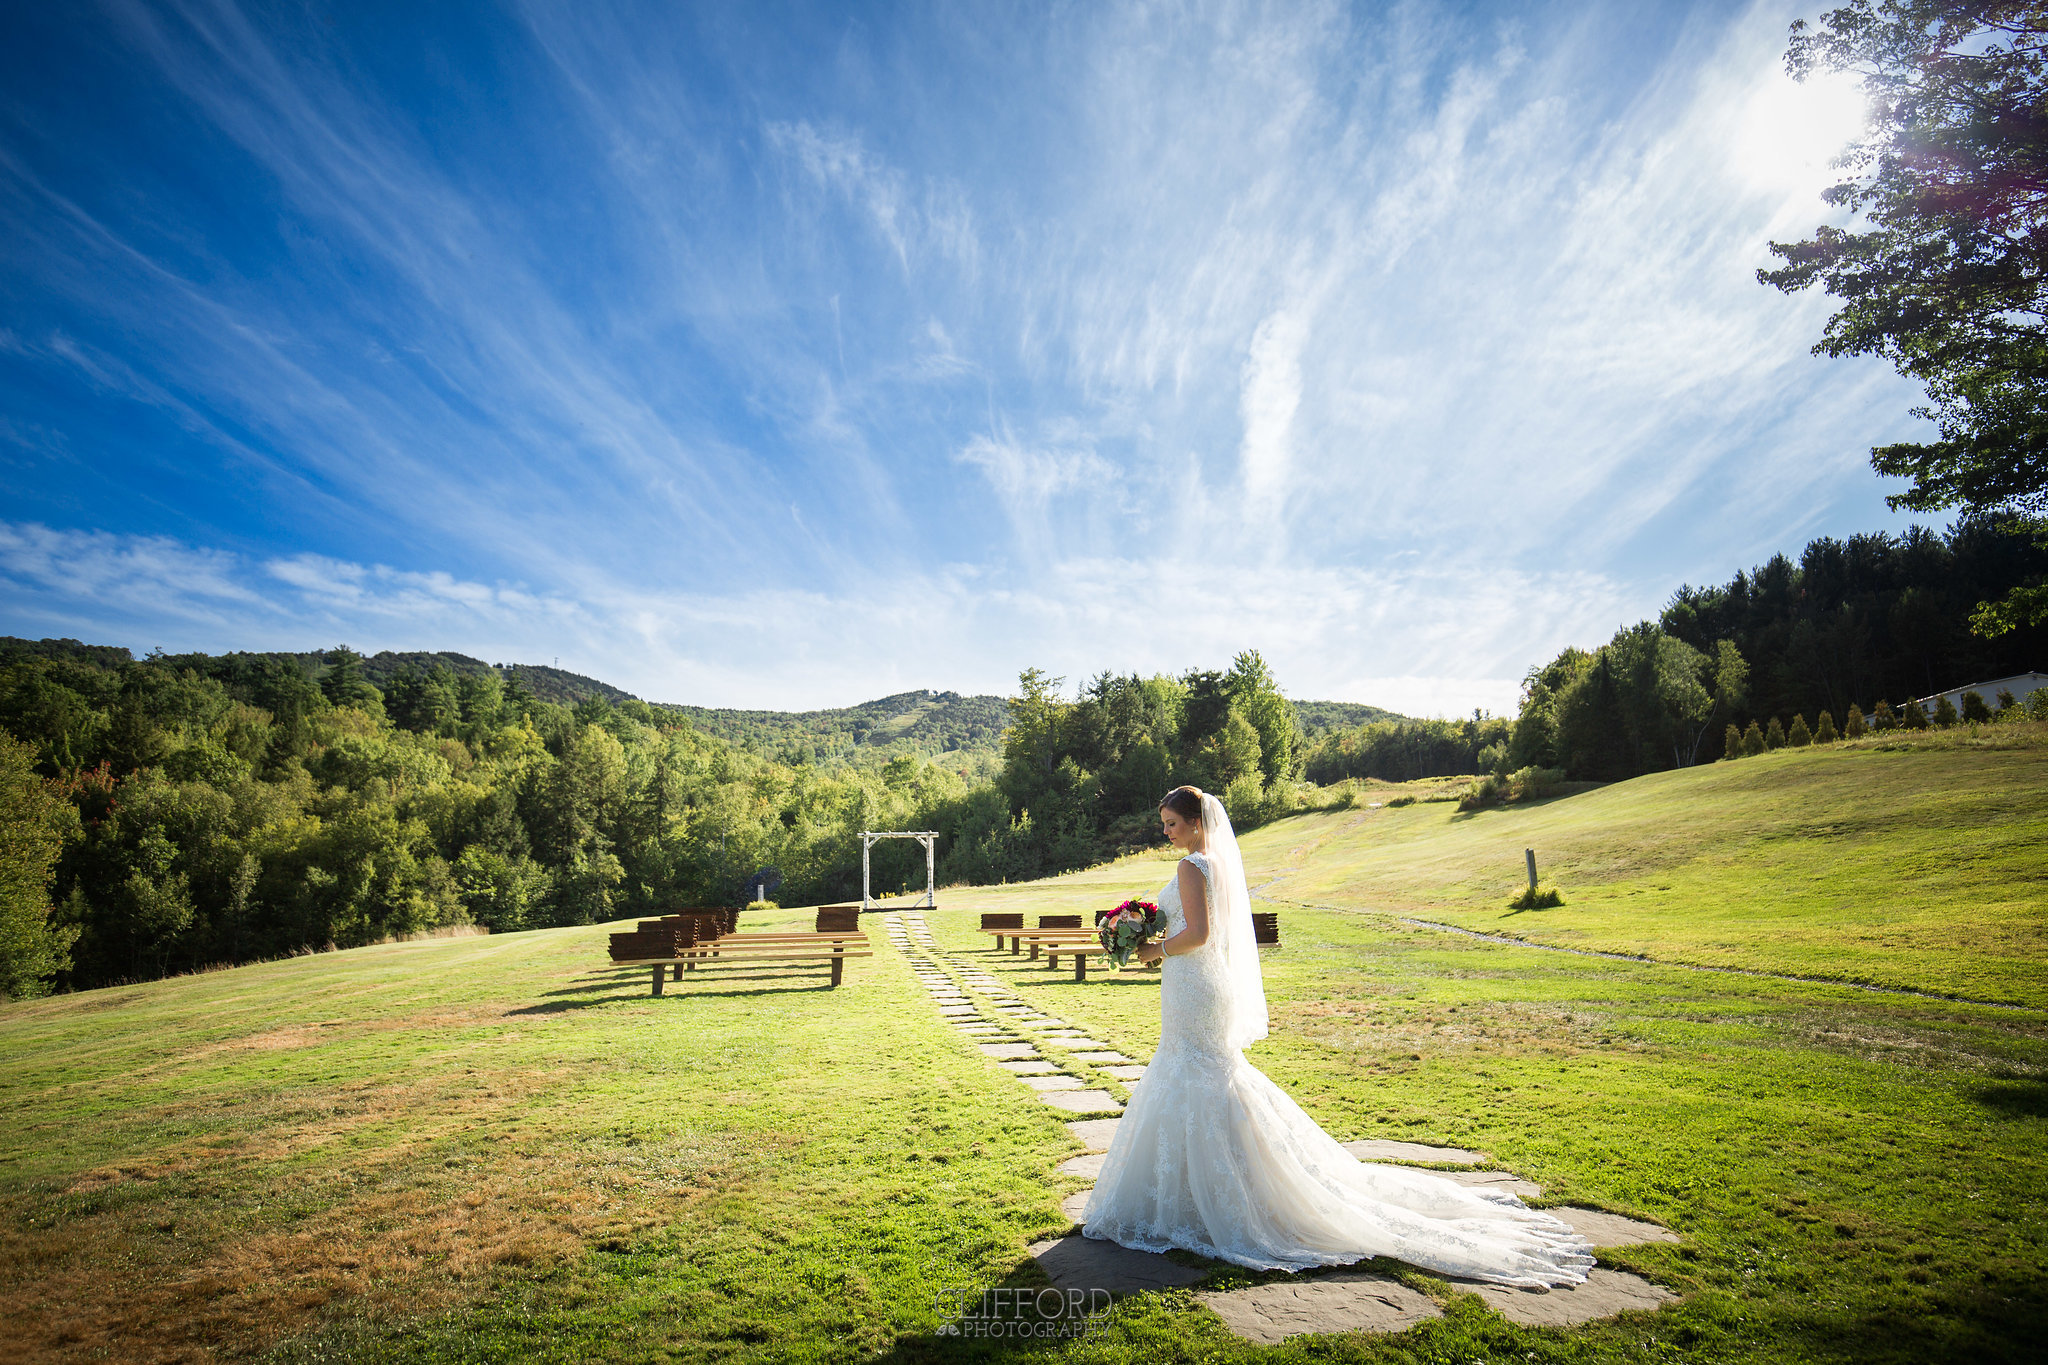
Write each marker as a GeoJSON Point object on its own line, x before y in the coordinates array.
{"type": "Point", "coordinates": [505, 1151]}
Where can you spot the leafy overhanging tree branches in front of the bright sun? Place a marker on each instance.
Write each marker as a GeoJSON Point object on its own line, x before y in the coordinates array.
{"type": "Point", "coordinates": [1947, 273]}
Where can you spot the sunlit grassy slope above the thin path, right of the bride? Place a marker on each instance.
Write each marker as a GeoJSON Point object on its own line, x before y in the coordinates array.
{"type": "Point", "coordinates": [1918, 865]}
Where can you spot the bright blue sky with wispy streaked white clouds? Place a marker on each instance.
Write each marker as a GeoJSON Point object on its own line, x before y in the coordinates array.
{"type": "Point", "coordinates": [759, 355]}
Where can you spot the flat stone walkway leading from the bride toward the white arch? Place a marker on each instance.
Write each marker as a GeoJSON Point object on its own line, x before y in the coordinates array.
{"type": "Point", "coordinates": [1086, 1077]}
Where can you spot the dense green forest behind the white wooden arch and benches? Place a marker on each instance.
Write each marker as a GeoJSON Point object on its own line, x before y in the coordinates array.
{"type": "Point", "coordinates": [208, 809]}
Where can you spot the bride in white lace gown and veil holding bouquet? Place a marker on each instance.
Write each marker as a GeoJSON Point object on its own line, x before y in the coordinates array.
{"type": "Point", "coordinates": [1215, 1159]}
